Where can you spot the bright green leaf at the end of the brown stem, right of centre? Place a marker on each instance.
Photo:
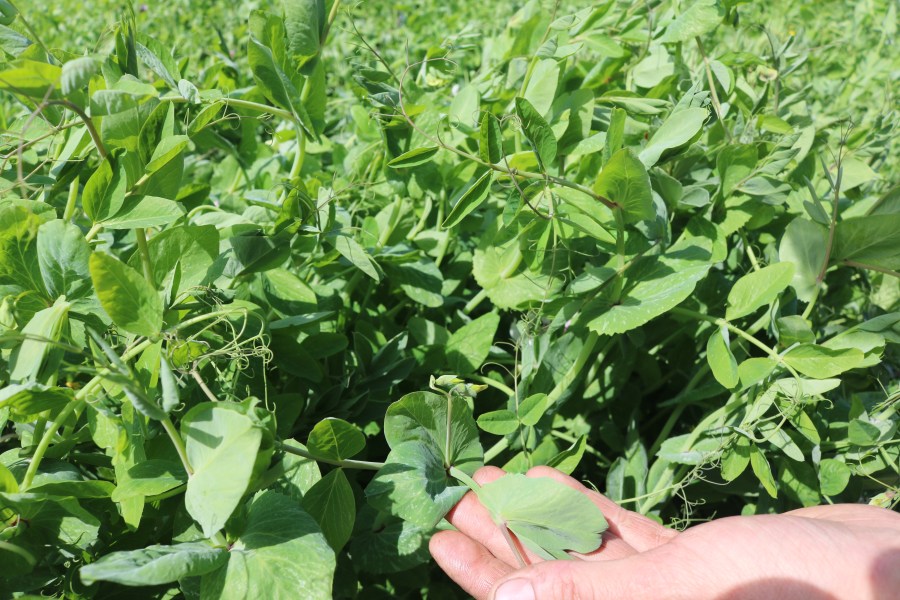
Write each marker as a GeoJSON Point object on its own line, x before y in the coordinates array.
{"type": "Point", "coordinates": [625, 181]}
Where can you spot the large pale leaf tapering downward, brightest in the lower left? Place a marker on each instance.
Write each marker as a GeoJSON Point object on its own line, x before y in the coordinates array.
{"type": "Point", "coordinates": [221, 443]}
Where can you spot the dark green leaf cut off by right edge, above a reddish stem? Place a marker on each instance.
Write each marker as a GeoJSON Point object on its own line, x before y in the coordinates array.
{"type": "Point", "coordinates": [870, 240]}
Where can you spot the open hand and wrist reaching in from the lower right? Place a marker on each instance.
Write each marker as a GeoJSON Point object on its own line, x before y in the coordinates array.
{"type": "Point", "coordinates": [817, 553]}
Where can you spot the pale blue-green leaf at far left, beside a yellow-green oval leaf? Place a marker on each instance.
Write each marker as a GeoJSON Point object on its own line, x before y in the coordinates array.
{"type": "Point", "coordinates": [63, 256]}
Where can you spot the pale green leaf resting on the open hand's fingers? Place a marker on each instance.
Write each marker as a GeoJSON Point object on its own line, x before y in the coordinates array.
{"type": "Point", "coordinates": [548, 517]}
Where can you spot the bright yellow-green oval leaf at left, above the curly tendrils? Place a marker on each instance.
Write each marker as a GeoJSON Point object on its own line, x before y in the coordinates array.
{"type": "Point", "coordinates": [127, 298]}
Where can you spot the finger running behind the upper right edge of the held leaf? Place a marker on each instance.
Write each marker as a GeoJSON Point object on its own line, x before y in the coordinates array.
{"type": "Point", "coordinates": [635, 530]}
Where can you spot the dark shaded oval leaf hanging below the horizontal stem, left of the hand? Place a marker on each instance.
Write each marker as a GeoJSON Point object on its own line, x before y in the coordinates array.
{"type": "Point", "coordinates": [330, 502]}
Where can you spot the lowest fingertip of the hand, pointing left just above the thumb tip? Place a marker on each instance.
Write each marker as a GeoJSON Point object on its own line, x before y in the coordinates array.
{"type": "Point", "coordinates": [467, 562]}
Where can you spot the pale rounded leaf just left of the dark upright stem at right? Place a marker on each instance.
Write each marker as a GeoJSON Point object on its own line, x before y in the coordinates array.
{"type": "Point", "coordinates": [803, 244]}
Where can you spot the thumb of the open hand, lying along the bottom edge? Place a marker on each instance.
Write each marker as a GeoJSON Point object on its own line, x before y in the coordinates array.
{"type": "Point", "coordinates": [634, 578]}
